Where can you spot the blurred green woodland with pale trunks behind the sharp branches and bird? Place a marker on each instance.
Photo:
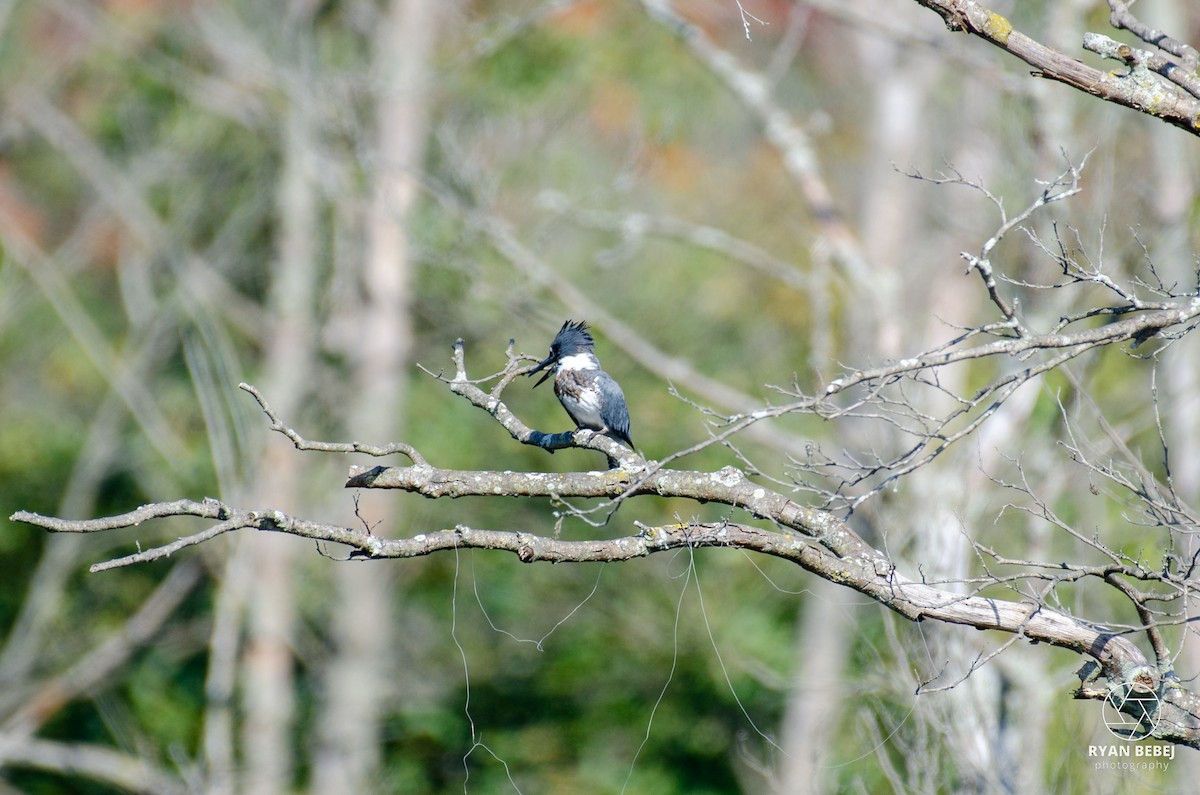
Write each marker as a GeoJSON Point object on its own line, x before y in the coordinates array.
{"type": "Point", "coordinates": [316, 198]}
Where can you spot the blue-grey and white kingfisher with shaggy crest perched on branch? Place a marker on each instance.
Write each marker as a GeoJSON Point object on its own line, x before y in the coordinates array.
{"type": "Point", "coordinates": [589, 394]}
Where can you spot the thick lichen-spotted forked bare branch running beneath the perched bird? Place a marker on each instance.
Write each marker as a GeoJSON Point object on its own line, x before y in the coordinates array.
{"type": "Point", "coordinates": [823, 545]}
